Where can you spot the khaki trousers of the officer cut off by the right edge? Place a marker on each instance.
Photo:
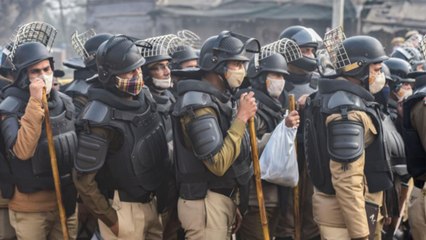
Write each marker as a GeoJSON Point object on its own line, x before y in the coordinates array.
{"type": "Point", "coordinates": [417, 213]}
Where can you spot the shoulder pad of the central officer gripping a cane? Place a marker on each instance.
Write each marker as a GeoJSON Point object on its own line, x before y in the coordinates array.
{"type": "Point", "coordinates": [193, 100]}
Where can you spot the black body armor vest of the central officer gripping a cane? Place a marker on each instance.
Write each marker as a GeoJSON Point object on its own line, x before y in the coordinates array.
{"type": "Point", "coordinates": [192, 175]}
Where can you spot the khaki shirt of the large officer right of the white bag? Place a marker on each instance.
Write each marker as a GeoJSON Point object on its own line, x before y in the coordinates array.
{"type": "Point", "coordinates": [346, 209]}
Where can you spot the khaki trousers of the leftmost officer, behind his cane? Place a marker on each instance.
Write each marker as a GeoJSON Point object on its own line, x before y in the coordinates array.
{"type": "Point", "coordinates": [41, 225]}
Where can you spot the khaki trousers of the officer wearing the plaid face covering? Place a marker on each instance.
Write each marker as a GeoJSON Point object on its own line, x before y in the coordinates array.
{"type": "Point", "coordinates": [136, 221]}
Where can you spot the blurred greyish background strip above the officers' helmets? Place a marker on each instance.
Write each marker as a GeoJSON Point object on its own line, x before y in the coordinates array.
{"type": "Point", "coordinates": [263, 19]}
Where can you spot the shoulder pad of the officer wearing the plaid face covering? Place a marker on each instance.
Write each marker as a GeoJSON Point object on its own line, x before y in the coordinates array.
{"type": "Point", "coordinates": [96, 112]}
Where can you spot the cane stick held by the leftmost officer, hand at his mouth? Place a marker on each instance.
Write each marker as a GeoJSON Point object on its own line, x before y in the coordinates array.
{"type": "Point", "coordinates": [54, 164]}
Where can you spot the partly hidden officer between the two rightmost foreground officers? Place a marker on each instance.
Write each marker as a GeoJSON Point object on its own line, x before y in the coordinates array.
{"type": "Point", "coordinates": [394, 197]}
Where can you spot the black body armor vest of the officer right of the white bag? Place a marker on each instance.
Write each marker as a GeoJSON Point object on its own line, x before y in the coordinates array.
{"type": "Point", "coordinates": [340, 96]}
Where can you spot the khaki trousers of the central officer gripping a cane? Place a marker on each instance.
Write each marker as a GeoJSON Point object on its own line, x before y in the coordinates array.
{"type": "Point", "coordinates": [210, 218]}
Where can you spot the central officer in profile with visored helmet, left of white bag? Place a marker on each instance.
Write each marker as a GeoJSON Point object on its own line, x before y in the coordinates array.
{"type": "Point", "coordinates": [211, 142]}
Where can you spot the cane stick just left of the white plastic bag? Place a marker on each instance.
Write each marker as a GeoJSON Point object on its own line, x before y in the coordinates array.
{"type": "Point", "coordinates": [256, 167]}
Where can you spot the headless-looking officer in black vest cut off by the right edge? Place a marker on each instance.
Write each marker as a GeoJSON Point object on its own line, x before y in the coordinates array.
{"type": "Point", "coordinates": [414, 134]}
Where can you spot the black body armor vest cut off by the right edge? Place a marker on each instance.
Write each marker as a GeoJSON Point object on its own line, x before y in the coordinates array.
{"type": "Point", "coordinates": [416, 154]}
